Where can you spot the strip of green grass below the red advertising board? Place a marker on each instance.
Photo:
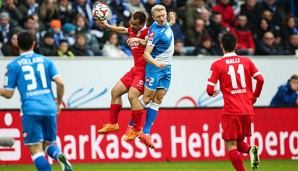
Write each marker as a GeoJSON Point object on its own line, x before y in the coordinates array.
{"type": "Point", "coordinates": [265, 165]}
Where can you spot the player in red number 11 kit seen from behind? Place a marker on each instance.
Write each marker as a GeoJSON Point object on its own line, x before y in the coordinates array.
{"type": "Point", "coordinates": [235, 75]}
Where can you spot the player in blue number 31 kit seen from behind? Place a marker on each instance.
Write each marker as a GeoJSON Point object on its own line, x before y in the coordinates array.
{"type": "Point", "coordinates": [32, 74]}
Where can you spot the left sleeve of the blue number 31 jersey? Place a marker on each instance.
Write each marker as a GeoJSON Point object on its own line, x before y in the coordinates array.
{"type": "Point", "coordinates": [10, 80]}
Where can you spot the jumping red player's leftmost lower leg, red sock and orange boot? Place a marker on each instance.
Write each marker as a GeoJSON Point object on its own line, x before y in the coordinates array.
{"type": "Point", "coordinates": [116, 105]}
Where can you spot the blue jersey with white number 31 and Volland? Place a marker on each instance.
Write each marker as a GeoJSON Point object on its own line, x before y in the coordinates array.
{"type": "Point", "coordinates": [32, 74]}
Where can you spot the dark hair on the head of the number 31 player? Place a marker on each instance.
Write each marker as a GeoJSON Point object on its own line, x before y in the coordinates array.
{"type": "Point", "coordinates": [25, 40]}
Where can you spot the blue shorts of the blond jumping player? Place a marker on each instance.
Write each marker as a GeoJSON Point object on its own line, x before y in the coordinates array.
{"type": "Point", "coordinates": [158, 77]}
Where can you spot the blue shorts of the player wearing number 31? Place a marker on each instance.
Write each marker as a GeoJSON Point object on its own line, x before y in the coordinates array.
{"type": "Point", "coordinates": [39, 128]}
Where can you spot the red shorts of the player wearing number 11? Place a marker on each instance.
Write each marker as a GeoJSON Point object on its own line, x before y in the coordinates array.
{"type": "Point", "coordinates": [236, 127]}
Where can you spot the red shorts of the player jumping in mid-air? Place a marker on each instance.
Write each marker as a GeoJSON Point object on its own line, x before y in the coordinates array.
{"type": "Point", "coordinates": [134, 78]}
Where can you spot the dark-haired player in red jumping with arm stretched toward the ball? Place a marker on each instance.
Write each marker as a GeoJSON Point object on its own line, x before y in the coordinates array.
{"type": "Point", "coordinates": [133, 81]}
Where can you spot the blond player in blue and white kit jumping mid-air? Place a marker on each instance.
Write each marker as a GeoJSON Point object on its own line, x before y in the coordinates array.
{"type": "Point", "coordinates": [158, 54]}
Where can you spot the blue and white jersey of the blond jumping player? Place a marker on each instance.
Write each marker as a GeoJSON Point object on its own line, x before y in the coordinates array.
{"type": "Point", "coordinates": [162, 38]}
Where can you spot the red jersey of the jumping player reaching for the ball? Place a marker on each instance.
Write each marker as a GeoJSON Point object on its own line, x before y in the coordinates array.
{"type": "Point", "coordinates": [138, 49]}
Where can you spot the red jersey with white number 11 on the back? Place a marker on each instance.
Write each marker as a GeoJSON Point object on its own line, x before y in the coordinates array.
{"type": "Point", "coordinates": [235, 75]}
